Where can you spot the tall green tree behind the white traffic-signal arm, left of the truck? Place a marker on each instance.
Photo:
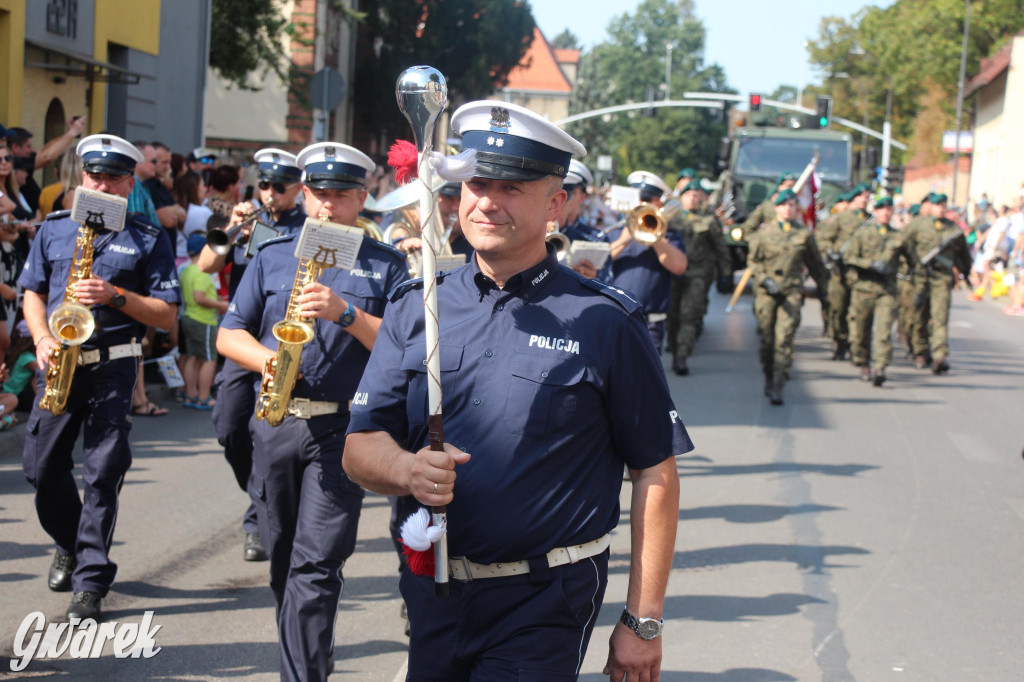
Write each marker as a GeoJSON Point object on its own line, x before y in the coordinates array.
{"type": "Point", "coordinates": [632, 63]}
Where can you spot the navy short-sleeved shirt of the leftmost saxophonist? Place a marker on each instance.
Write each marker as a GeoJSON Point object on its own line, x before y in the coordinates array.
{"type": "Point", "coordinates": [139, 260]}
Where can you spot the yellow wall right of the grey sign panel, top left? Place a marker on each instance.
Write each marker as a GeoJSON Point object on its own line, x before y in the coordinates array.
{"type": "Point", "coordinates": [134, 24]}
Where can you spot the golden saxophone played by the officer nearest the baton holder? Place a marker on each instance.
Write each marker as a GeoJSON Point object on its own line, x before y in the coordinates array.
{"type": "Point", "coordinates": [282, 371]}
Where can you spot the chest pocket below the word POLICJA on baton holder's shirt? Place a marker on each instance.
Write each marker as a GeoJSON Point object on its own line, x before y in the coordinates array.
{"type": "Point", "coordinates": [543, 393]}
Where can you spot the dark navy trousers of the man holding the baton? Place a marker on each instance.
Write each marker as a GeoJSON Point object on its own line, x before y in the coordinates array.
{"type": "Point", "coordinates": [532, 628]}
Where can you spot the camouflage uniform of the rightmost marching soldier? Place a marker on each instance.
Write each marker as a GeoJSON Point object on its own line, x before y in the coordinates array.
{"type": "Point", "coordinates": [934, 283]}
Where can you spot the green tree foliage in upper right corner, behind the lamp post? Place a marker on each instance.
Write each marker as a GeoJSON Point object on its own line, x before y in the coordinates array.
{"type": "Point", "coordinates": [915, 48]}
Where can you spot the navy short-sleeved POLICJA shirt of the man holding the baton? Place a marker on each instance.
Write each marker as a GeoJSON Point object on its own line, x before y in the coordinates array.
{"type": "Point", "coordinates": [551, 385]}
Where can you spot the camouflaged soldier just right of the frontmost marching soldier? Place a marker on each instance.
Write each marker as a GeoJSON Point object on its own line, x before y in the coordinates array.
{"type": "Point", "coordinates": [832, 238]}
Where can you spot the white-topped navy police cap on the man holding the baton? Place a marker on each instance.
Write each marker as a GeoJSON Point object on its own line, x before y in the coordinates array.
{"type": "Point", "coordinates": [514, 143]}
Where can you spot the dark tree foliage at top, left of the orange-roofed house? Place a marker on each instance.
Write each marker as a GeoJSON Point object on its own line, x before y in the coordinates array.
{"type": "Point", "coordinates": [475, 44]}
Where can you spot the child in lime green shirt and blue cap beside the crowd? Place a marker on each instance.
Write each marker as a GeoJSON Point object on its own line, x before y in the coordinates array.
{"type": "Point", "coordinates": [200, 328]}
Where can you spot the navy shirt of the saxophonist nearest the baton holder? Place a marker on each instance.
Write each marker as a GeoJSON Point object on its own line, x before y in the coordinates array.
{"type": "Point", "coordinates": [333, 362]}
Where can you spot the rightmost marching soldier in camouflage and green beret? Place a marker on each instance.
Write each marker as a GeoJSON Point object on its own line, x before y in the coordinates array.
{"type": "Point", "coordinates": [934, 279]}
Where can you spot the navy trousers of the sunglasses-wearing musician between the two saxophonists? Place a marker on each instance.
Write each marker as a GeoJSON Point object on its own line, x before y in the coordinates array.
{"type": "Point", "coordinates": [236, 404]}
